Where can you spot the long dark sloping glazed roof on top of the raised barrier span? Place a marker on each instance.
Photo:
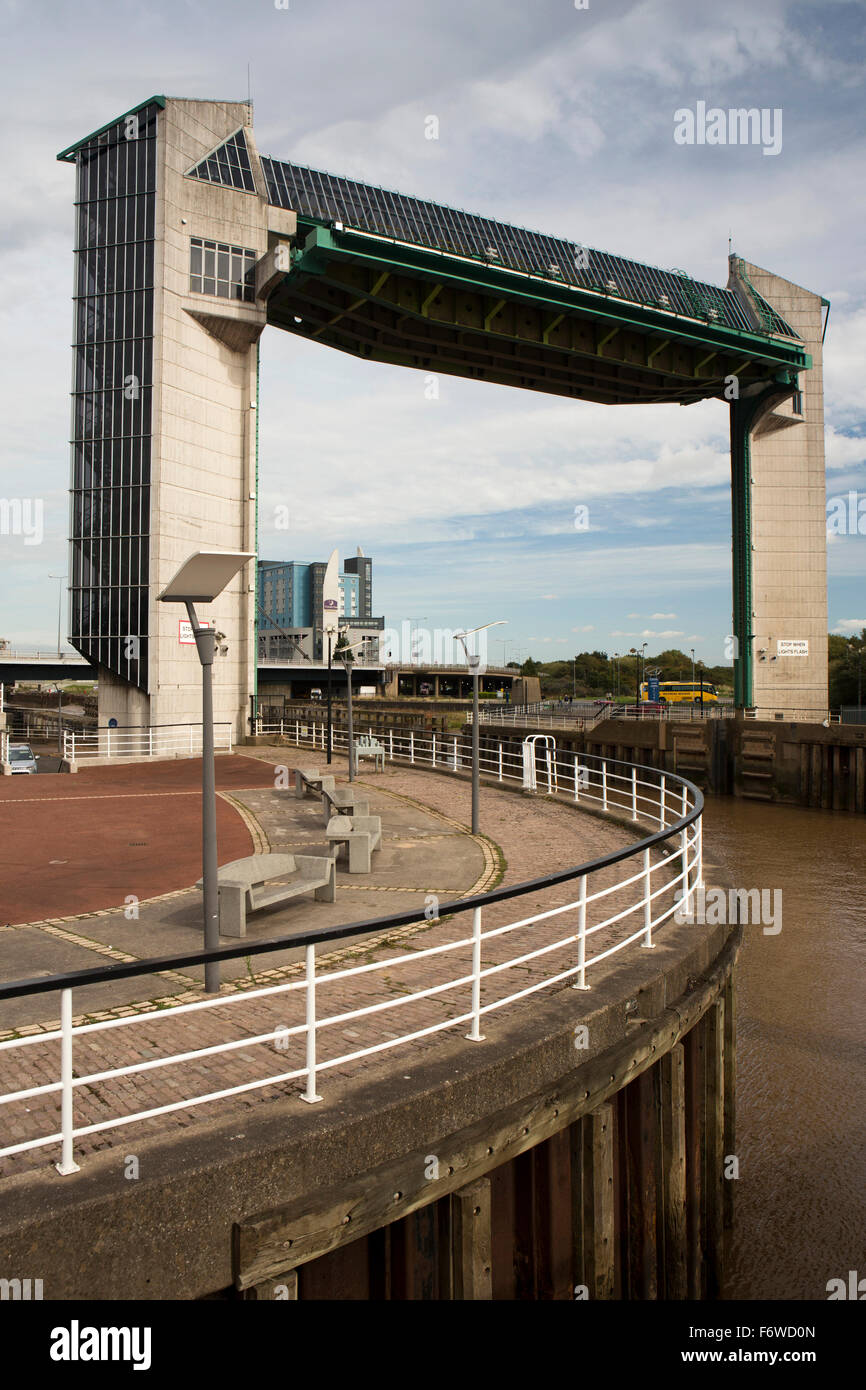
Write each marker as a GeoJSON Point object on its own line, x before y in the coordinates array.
{"type": "Point", "coordinates": [326, 198]}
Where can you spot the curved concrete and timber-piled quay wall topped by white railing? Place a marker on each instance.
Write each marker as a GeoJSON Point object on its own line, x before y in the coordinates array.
{"type": "Point", "coordinates": [578, 1150]}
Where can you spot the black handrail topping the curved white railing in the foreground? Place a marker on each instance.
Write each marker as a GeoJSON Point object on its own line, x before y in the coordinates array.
{"type": "Point", "coordinates": [74, 979]}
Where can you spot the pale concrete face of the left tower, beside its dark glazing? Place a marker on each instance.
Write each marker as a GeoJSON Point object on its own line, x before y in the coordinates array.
{"type": "Point", "coordinates": [204, 473]}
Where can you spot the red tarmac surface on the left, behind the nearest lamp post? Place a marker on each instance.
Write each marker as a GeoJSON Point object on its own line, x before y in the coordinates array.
{"type": "Point", "coordinates": [80, 843]}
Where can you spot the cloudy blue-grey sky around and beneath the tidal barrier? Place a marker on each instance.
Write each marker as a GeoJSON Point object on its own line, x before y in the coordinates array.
{"type": "Point", "coordinates": [551, 117]}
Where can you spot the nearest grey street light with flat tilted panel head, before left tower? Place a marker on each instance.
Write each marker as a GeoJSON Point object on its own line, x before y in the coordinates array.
{"type": "Point", "coordinates": [201, 580]}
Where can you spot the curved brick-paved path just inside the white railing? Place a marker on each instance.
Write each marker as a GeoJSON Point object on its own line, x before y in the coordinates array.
{"type": "Point", "coordinates": [534, 836]}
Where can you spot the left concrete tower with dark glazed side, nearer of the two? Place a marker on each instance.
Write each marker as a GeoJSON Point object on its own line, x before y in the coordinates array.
{"type": "Point", "coordinates": [173, 216]}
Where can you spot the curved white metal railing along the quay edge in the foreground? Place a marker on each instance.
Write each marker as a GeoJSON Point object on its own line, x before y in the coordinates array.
{"type": "Point", "coordinates": [297, 1031]}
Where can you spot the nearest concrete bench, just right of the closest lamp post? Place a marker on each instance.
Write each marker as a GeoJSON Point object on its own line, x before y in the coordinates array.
{"type": "Point", "coordinates": [248, 885]}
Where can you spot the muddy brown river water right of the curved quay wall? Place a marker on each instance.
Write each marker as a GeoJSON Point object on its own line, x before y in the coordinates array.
{"type": "Point", "coordinates": [801, 1106]}
